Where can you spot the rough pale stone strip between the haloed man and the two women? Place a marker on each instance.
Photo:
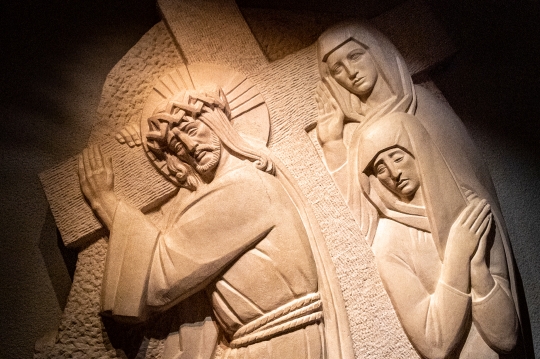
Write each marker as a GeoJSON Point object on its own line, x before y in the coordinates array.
{"type": "Point", "coordinates": [291, 81]}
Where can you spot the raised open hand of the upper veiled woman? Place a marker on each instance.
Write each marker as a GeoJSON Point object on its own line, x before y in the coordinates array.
{"type": "Point", "coordinates": [330, 117]}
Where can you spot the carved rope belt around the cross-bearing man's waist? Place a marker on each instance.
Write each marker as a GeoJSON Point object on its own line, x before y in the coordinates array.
{"type": "Point", "coordinates": [291, 316]}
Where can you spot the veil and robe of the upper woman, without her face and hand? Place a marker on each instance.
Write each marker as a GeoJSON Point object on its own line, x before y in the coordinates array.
{"type": "Point", "coordinates": [443, 126]}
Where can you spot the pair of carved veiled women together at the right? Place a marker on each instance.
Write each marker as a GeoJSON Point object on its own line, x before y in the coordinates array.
{"type": "Point", "coordinates": [438, 247]}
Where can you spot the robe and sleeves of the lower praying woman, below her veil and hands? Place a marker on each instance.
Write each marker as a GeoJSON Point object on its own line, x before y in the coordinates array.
{"type": "Point", "coordinates": [434, 314]}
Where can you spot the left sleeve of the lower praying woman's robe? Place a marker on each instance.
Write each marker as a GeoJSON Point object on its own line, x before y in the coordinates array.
{"type": "Point", "coordinates": [435, 323]}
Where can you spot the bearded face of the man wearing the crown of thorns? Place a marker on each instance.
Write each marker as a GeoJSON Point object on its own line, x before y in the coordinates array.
{"type": "Point", "coordinates": [198, 146]}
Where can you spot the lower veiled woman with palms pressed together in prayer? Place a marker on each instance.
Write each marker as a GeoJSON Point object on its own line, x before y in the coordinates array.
{"type": "Point", "coordinates": [437, 248]}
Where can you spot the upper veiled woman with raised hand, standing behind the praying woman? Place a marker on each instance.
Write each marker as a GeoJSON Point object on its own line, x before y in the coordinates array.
{"type": "Point", "coordinates": [364, 79]}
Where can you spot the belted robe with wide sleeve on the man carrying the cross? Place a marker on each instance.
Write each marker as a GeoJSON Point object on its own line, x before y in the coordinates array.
{"type": "Point", "coordinates": [242, 239]}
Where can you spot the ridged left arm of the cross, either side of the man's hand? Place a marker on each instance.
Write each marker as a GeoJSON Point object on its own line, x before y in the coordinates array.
{"type": "Point", "coordinates": [137, 183]}
